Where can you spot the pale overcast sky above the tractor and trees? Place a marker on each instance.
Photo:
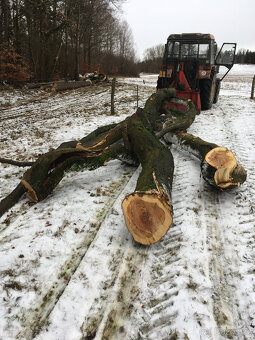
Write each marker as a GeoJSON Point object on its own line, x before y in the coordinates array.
{"type": "Point", "coordinates": [152, 21]}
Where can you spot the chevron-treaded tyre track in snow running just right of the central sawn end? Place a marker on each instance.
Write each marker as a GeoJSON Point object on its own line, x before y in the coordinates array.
{"type": "Point", "coordinates": [173, 278]}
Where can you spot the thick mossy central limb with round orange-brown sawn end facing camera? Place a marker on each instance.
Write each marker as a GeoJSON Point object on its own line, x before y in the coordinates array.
{"type": "Point", "coordinates": [148, 211]}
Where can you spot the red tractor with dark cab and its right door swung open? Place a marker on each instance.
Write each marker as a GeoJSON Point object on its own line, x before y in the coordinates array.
{"type": "Point", "coordinates": [191, 64]}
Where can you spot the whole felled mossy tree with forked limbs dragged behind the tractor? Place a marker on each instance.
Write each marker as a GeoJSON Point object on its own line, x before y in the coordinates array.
{"type": "Point", "coordinates": [148, 210]}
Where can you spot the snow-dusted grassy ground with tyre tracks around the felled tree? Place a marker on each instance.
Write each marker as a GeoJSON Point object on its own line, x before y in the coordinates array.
{"type": "Point", "coordinates": [69, 268]}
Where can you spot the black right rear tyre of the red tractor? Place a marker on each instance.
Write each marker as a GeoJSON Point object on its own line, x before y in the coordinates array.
{"type": "Point", "coordinates": [207, 91]}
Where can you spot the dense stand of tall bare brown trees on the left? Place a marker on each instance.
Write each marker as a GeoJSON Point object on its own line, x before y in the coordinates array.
{"type": "Point", "coordinates": [51, 39]}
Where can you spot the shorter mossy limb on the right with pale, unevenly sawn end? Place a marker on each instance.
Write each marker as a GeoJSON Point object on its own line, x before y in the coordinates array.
{"type": "Point", "coordinates": [219, 166]}
